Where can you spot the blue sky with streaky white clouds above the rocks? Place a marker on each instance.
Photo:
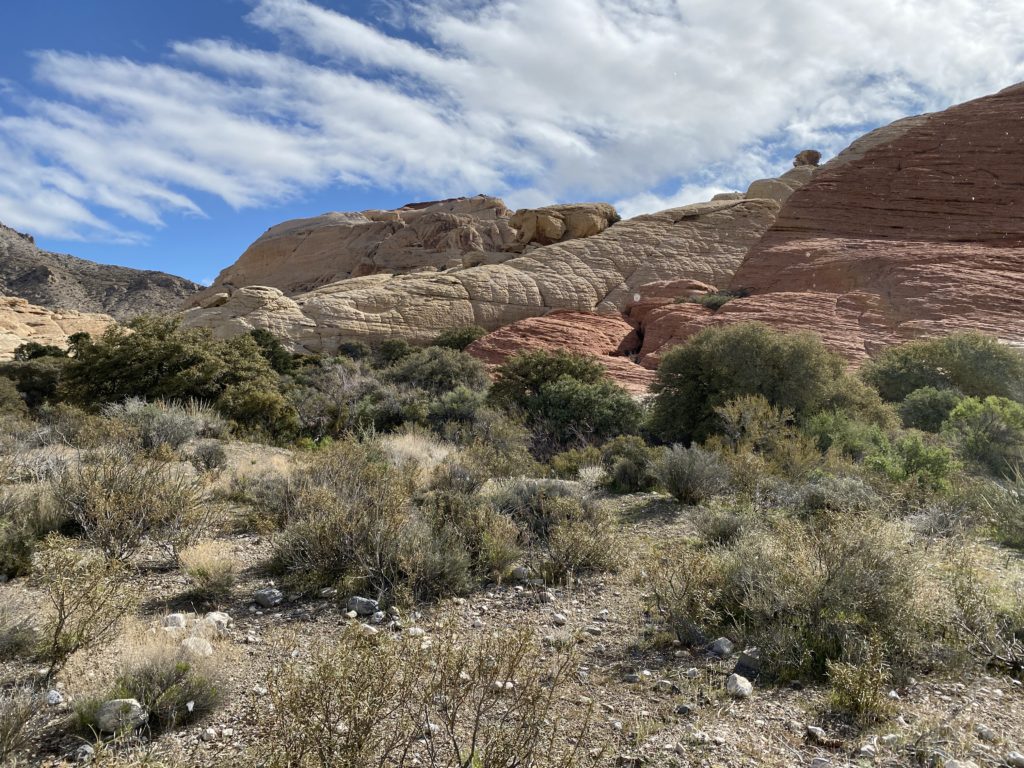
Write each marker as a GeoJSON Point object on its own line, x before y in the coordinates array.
{"type": "Point", "coordinates": [169, 136]}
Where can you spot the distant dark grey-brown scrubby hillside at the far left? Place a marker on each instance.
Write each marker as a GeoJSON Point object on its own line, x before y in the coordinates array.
{"type": "Point", "coordinates": [64, 283]}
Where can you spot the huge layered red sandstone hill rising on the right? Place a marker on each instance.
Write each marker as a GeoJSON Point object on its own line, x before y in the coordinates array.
{"type": "Point", "coordinates": [916, 230]}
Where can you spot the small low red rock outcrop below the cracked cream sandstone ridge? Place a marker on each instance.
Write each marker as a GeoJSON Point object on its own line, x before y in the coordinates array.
{"type": "Point", "coordinates": [610, 338]}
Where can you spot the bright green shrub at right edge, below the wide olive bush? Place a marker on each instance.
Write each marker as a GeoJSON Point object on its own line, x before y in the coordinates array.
{"type": "Point", "coordinates": [990, 432]}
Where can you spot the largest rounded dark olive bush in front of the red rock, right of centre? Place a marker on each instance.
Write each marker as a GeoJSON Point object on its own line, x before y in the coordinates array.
{"type": "Point", "coordinates": [794, 372]}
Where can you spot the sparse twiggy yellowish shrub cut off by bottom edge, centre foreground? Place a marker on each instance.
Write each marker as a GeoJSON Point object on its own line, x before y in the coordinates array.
{"type": "Point", "coordinates": [365, 701]}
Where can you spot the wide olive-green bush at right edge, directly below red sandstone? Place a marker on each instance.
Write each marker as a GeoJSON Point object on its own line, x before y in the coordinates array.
{"type": "Point", "coordinates": [971, 363]}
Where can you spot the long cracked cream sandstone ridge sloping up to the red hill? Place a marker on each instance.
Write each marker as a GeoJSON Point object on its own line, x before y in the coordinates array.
{"type": "Point", "coordinates": [600, 274]}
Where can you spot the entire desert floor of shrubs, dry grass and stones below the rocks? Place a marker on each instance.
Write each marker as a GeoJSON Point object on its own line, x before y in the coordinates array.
{"type": "Point", "coordinates": [220, 553]}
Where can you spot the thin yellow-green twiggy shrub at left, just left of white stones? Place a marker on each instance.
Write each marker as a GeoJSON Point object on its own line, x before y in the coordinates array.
{"type": "Point", "coordinates": [88, 595]}
